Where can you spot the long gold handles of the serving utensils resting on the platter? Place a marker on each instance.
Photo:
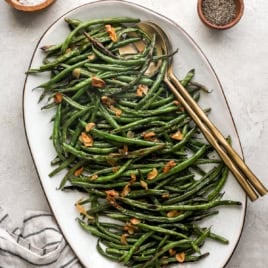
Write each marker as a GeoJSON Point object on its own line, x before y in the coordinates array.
{"type": "Point", "coordinates": [248, 181]}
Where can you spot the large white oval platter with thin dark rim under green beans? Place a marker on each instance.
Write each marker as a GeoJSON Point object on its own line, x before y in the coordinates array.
{"type": "Point", "coordinates": [228, 223]}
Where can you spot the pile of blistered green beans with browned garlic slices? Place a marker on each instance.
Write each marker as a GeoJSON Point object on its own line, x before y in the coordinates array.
{"type": "Point", "coordinates": [146, 174]}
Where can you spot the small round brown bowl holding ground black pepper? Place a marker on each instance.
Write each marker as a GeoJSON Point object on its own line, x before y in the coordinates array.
{"type": "Point", "coordinates": [239, 14]}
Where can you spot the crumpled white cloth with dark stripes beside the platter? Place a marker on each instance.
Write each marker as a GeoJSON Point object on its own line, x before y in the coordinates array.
{"type": "Point", "coordinates": [38, 243]}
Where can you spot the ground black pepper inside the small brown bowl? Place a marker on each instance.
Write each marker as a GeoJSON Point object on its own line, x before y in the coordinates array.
{"type": "Point", "coordinates": [219, 12]}
